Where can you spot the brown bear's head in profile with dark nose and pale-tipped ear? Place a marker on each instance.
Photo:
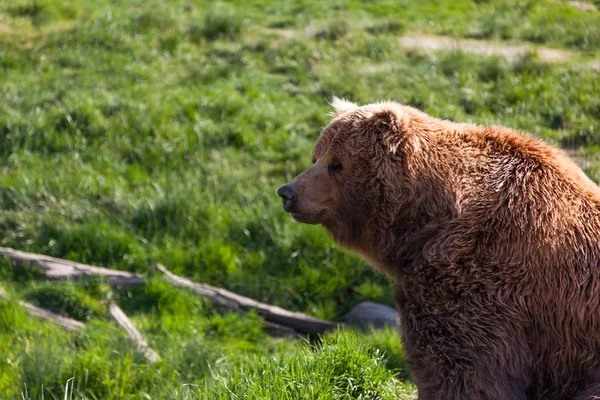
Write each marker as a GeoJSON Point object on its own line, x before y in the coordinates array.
{"type": "Point", "coordinates": [357, 161]}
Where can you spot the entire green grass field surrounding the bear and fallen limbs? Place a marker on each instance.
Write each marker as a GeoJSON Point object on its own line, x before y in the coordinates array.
{"type": "Point", "coordinates": [158, 131]}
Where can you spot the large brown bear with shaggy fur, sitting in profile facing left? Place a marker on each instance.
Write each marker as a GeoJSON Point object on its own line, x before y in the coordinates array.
{"type": "Point", "coordinates": [491, 237]}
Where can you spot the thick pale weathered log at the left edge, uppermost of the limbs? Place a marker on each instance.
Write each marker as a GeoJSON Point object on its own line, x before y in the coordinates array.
{"type": "Point", "coordinates": [56, 268]}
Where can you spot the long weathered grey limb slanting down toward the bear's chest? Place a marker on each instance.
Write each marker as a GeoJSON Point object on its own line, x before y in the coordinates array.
{"type": "Point", "coordinates": [298, 321]}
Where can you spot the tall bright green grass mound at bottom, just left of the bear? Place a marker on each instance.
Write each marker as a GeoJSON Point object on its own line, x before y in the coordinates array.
{"type": "Point", "coordinates": [342, 367]}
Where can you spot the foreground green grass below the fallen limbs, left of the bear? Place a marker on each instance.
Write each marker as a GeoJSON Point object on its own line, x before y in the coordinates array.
{"type": "Point", "coordinates": [217, 356]}
